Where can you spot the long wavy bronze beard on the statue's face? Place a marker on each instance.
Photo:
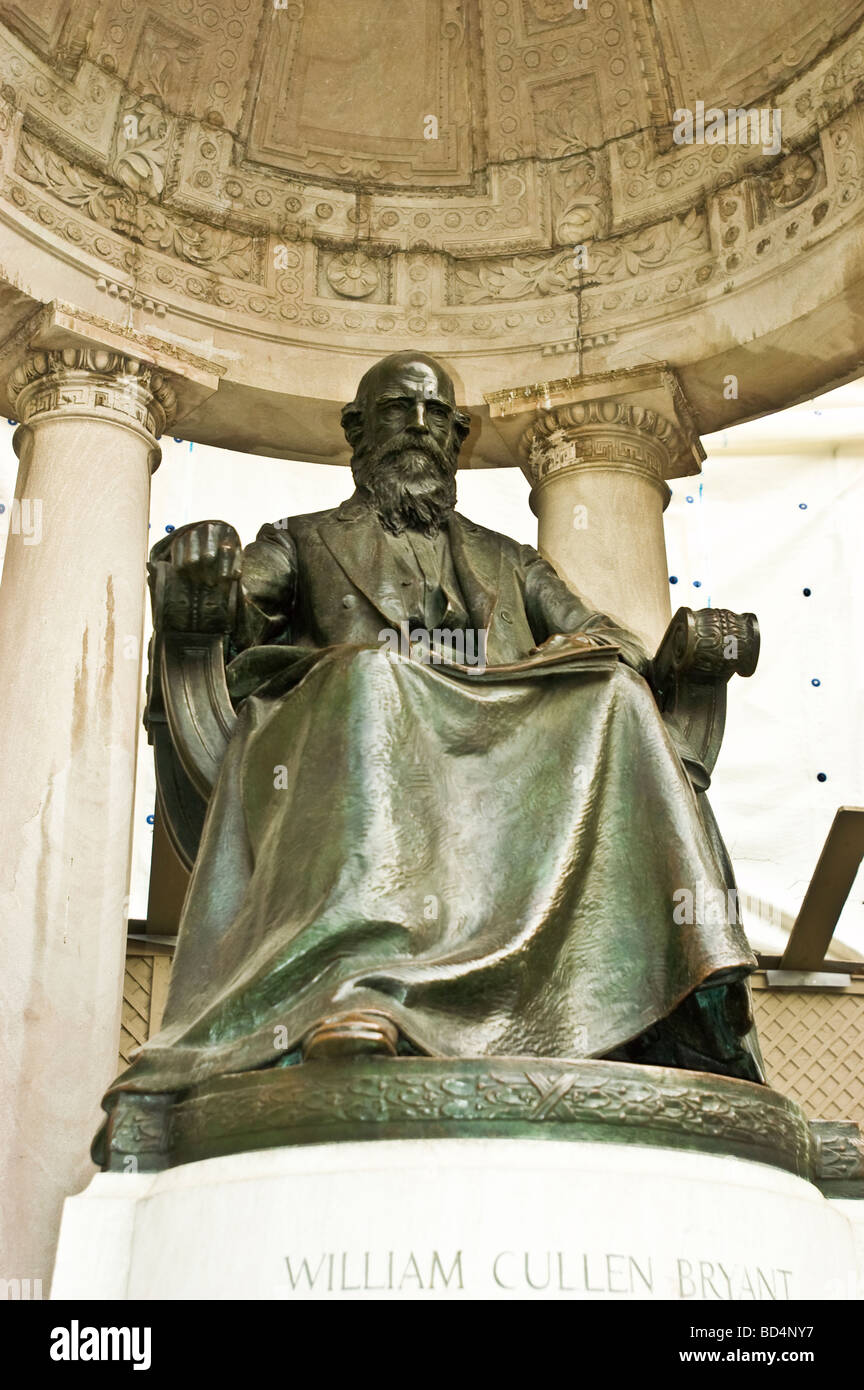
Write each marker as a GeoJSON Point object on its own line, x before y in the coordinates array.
{"type": "Point", "coordinates": [410, 483]}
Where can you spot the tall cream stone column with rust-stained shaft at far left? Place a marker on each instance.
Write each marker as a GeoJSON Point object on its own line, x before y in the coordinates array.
{"type": "Point", "coordinates": [72, 625]}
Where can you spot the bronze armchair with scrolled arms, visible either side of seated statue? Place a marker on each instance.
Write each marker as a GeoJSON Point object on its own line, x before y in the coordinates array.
{"type": "Point", "coordinates": [190, 717]}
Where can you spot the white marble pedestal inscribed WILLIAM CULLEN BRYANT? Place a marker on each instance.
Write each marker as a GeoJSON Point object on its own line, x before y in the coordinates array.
{"type": "Point", "coordinates": [462, 1218]}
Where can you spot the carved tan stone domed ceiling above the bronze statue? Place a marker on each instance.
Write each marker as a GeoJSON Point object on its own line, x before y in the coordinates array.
{"type": "Point", "coordinates": [287, 188]}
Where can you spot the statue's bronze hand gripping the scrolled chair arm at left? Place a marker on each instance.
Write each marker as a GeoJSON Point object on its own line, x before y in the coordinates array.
{"type": "Point", "coordinates": [198, 576]}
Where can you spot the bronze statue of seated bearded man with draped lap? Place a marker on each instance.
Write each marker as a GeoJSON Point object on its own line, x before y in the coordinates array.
{"type": "Point", "coordinates": [419, 846]}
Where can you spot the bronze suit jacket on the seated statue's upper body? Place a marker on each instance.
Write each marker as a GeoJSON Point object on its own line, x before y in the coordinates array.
{"type": "Point", "coordinates": [331, 578]}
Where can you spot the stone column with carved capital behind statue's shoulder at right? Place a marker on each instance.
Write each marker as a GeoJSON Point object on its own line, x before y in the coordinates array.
{"type": "Point", "coordinates": [598, 452]}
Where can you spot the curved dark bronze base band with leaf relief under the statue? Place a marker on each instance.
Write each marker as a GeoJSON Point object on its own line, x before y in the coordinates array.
{"type": "Point", "coordinates": [509, 1097]}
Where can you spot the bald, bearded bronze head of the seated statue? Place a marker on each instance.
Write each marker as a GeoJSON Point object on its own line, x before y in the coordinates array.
{"type": "Point", "coordinates": [406, 432]}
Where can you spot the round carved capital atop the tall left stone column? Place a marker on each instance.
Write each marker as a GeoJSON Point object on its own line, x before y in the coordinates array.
{"type": "Point", "coordinates": [92, 382]}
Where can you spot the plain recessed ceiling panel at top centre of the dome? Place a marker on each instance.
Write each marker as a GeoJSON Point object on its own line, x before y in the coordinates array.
{"type": "Point", "coordinates": [380, 91]}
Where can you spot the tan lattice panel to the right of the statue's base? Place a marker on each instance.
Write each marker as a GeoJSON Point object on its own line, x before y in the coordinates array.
{"type": "Point", "coordinates": [815, 1050]}
